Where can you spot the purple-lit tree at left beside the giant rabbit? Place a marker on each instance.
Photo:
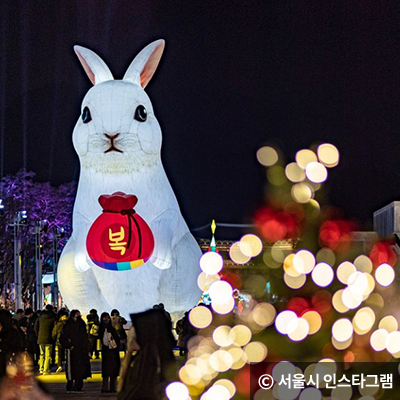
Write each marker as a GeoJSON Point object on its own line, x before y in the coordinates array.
{"type": "Point", "coordinates": [42, 202]}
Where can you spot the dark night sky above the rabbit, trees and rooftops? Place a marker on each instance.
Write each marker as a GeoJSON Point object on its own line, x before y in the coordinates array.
{"type": "Point", "coordinates": [234, 76]}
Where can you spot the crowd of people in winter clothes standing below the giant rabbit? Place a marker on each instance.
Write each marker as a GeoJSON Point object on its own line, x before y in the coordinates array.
{"type": "Point", "coordinates": [70, 341]}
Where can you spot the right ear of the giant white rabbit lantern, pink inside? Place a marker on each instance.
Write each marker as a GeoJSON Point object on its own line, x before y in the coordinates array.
{"type": "Point", "coordinates": [145, 64]}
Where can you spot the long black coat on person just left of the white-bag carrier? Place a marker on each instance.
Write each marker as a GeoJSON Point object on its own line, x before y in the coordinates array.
{"type": "Point", "coordinates": [75, 339]}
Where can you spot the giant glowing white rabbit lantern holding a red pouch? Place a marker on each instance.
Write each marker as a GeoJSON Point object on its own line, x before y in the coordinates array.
{"type": "Point", "coordinates": [118, 141]}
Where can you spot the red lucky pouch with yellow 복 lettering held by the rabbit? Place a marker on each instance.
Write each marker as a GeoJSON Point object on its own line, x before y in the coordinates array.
{"type": "Point", "coordinates": [119, 239]}
